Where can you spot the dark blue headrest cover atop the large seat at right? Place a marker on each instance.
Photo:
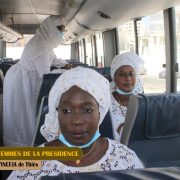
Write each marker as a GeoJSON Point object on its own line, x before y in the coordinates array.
{"type": "Point", "coordinates": [162, 116]}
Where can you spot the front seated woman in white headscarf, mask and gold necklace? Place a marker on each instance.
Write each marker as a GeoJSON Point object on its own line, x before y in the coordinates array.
{"type": "Point", "coordinates": [78, 103]}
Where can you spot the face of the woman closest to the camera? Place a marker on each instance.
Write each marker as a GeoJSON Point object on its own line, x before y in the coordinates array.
{"type": "Point", "coordinates": [78, 115]}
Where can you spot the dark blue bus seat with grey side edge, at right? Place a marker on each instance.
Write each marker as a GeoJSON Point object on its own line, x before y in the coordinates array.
{"type": "Point", "coordinates": [152, 129]}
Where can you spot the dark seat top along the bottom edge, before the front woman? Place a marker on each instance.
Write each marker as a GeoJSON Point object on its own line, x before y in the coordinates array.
{"type": "Point", "coordinates": [130, 174]}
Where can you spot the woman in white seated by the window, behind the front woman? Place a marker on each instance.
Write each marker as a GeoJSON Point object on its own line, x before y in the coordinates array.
{"type": "Point", "coordinates": [125, 70]}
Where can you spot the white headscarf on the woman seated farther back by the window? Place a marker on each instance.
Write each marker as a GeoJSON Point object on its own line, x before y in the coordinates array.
{"type": "Point", "coordinates": [130, 59]}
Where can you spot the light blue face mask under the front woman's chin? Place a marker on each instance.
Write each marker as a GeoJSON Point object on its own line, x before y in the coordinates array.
{"type": "Point", "coordinates": [94, 138]}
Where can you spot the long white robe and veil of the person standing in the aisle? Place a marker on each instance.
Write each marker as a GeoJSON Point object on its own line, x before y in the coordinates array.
{"type": "Point", "coordinates": [22, 84]}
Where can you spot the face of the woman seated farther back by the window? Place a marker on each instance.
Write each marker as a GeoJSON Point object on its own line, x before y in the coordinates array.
{"type": "Point", "coordinates": [125, 78]}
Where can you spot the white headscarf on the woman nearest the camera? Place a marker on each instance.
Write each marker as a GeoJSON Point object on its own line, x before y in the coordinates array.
{"type": "Point", "coordinates": [87, 79]}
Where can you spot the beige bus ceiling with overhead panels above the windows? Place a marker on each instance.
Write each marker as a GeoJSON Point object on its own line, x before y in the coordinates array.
{"type": "Point", "coordinates": [82, 17]}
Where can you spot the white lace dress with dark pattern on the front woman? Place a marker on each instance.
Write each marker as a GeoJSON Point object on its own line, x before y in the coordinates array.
{"type": "Point", "coordinates": [117, 157]}
